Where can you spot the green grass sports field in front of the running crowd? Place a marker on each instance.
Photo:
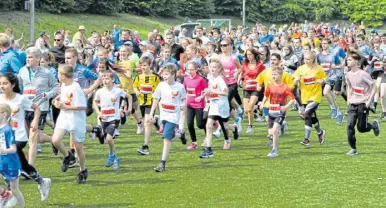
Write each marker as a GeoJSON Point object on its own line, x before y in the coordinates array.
{"type": "Point", "coordinates": [322, 176]}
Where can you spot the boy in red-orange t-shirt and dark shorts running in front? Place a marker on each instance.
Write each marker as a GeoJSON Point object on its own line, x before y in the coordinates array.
{"type": "Point", "coordinates": [277, 94]}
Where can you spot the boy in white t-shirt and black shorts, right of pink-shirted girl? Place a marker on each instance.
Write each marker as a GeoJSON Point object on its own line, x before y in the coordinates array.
{"type": "Point", "coordinates": [219, 110]}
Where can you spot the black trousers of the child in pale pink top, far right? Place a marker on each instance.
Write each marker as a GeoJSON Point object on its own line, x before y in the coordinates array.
{"type": "Point", "coordinates": [357, 115]}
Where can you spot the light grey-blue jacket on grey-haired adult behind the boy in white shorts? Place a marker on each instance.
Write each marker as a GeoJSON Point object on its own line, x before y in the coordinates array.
{"type": "Point", "coordinates": [39, 86]}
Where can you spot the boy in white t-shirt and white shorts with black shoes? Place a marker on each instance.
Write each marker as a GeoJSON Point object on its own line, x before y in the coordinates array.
{"type": "Point", "coordinates": [72, 118]}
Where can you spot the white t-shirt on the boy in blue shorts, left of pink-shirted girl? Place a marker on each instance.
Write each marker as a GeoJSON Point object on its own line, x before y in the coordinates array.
{"type": "Point", "coordinates": [172, 97]}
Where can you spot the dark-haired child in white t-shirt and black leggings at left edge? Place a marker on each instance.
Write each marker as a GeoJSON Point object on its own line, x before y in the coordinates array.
{"type": "Point", "coordinates": [9, 85]}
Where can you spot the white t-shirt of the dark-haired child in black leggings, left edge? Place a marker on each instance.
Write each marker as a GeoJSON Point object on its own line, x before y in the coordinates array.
{"type": "Point", "coordinates": [18, 107]}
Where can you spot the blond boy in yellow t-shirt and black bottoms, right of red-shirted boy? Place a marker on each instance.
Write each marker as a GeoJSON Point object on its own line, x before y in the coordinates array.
{"type": "Point", "coordinates": [310, 77]}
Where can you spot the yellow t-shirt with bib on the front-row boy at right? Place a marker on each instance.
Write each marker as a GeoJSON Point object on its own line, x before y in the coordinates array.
{"type": "Point", "coordinates": [311, 89]}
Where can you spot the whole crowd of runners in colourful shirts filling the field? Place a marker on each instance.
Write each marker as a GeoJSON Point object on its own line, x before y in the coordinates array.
{"type": "Point", "coordinates": [219, 77]}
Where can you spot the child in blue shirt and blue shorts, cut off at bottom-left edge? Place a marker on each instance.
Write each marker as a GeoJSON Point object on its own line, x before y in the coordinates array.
{"type": "Point", "coordinates": [10, 167]}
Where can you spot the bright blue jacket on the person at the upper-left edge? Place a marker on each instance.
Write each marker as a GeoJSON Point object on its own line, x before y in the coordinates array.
{"type": "Point", "coordinates": [10, 62]}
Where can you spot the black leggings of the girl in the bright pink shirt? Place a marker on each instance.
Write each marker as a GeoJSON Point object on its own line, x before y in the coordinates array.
{"type": "Point", "coordinates": [200, 120]}
